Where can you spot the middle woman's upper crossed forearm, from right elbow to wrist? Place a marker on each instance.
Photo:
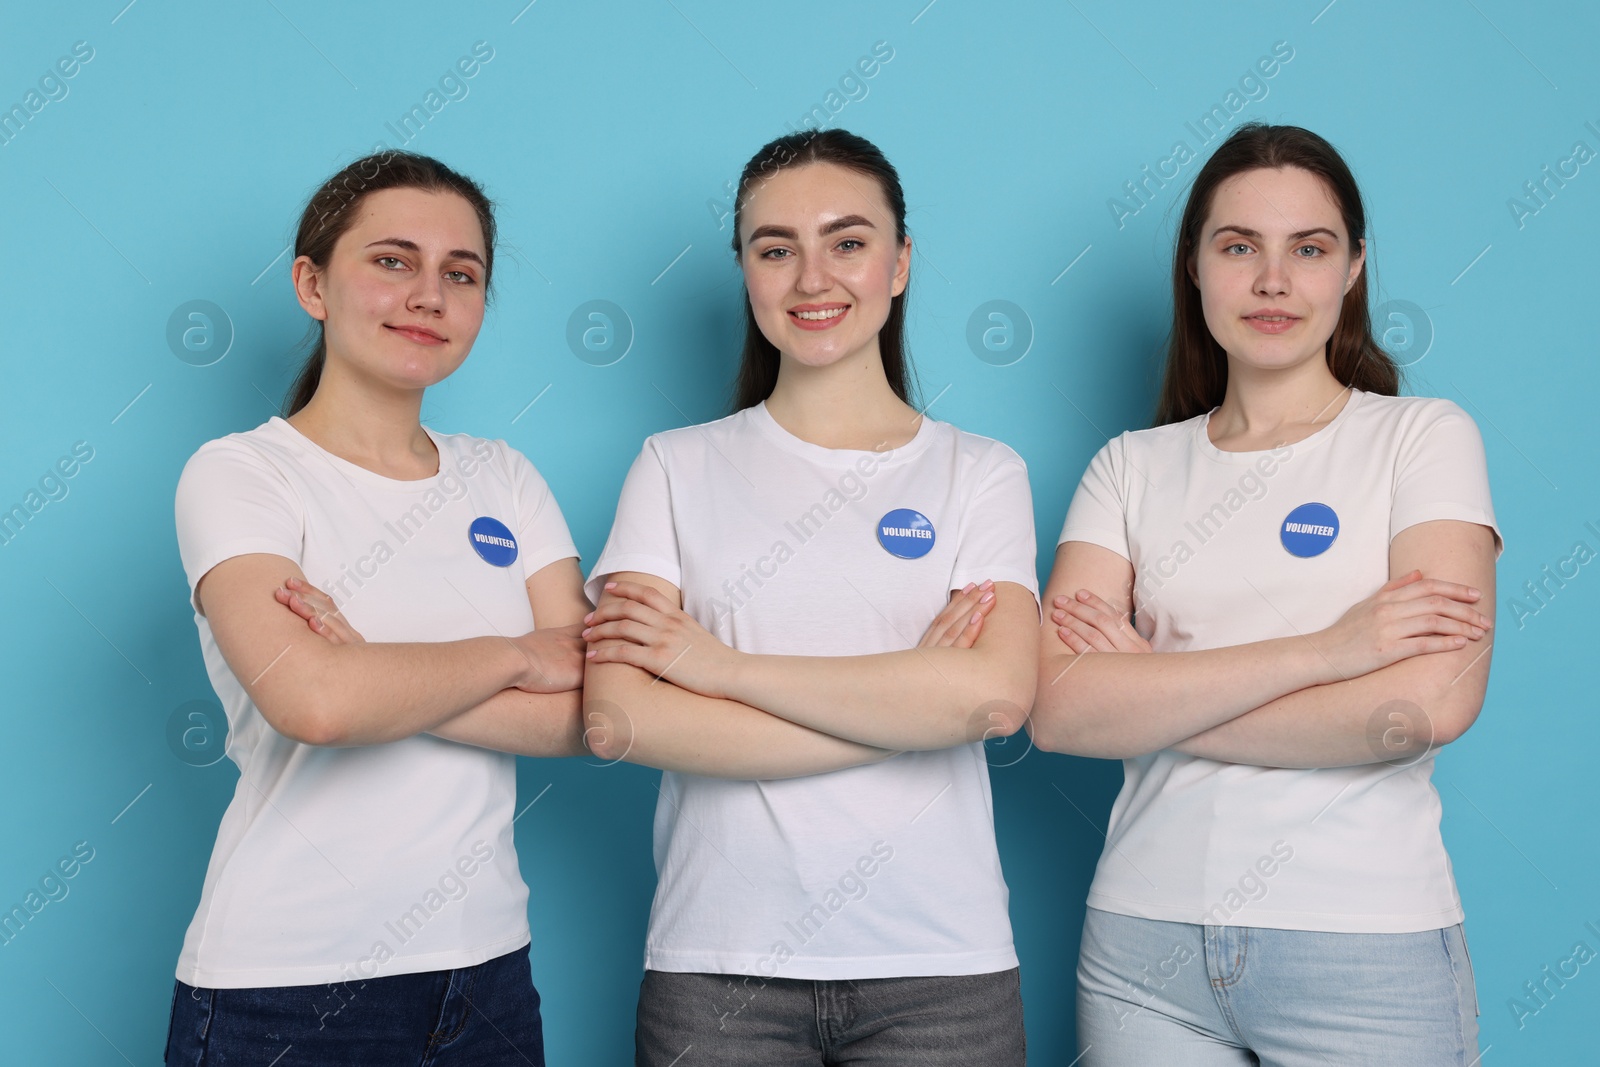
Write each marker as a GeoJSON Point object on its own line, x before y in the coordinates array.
{"type": "Point", "coordinates": [919, 698]}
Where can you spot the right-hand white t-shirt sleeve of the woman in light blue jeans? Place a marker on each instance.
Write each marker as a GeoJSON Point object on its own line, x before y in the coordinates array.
{"type": "Point", "coordinates": [1441, 473]}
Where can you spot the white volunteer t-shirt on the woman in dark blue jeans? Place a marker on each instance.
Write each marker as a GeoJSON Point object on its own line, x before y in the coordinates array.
{"type": "Point", "coordinates": [343, 863]}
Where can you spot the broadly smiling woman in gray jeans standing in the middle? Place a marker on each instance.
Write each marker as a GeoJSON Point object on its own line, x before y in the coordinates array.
{"type": "Point", "coordinates": [830, 887]}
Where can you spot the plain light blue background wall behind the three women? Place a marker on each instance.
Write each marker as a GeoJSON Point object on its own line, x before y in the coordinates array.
{"type": "Point", "coordinates": [180, 159]}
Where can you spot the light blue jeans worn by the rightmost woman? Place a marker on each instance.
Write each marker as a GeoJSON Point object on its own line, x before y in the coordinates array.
{"type": "Point", "coordinates": [1153, 993]}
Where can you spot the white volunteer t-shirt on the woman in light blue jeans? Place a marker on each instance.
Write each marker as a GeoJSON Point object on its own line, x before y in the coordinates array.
{"type": "Point", "coordinates": [1238, 548]}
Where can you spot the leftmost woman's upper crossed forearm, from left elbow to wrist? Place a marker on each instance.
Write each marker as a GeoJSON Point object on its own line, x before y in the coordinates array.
{"type": "Point", "coordinates": [374, 693]}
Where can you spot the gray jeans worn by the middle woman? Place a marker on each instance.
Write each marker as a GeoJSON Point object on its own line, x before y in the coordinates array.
{"type": "Point", "coordinates": [689, 1020]}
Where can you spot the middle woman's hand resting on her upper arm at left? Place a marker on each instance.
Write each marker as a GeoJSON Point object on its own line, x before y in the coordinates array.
{"type": "Point", "coordinates": [658, 637]}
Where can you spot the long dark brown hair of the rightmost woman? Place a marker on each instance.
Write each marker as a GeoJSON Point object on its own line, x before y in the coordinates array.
{"type": "Point", "coordinates": [1196, 377]}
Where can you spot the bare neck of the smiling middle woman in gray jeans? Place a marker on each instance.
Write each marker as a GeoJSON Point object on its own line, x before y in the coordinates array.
{"type": "Point", "coordinates": [847, 404]}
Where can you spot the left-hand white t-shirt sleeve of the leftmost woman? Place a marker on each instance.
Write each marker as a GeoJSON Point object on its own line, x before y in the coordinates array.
{"type": "Point", "coordinates": [234, 502]}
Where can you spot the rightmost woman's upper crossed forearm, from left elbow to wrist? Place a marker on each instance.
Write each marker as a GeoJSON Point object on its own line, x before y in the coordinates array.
{"type": "Point", "coordinates": [1118, 706]}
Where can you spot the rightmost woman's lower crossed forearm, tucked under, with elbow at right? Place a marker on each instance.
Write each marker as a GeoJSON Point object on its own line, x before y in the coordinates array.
{"type": "Point", "coordinates": [1398, 713]}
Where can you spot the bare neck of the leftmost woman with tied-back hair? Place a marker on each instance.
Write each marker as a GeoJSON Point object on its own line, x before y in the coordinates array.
{"type": "Point", "coordinates": [370, 425]}
